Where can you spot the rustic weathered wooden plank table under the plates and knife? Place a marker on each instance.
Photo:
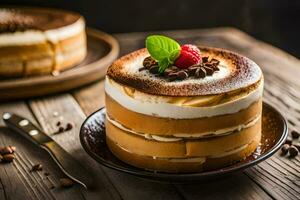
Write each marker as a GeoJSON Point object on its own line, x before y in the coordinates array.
{"type": "Point", "coordinates": [276, 178]}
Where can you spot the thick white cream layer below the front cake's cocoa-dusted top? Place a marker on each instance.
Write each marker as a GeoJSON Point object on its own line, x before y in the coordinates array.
{"type": "Point", "coordinates": [159, 106]}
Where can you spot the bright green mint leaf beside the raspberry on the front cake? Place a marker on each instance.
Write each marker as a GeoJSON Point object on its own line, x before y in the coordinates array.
{"type": "Point", "coordinates": [163, 49]}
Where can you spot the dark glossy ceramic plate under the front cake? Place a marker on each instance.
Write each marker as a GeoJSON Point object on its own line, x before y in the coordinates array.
{"type": "Point", "coordinates": [92, 137]}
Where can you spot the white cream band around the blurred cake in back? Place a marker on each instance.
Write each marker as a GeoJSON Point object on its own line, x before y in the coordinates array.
{"type": "Point", "coordinates": [31, 37]}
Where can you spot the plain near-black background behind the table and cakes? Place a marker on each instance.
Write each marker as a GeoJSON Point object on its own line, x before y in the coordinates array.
{"type": "Point", "coordinates": [273, 21]}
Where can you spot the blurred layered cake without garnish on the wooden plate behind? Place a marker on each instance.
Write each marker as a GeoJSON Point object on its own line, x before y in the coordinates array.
{"type": "Point", "coordinates": [36, 41]}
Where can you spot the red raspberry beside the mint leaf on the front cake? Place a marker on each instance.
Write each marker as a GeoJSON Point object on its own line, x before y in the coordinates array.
{"type": "Point", "coordinates": [189, 55]}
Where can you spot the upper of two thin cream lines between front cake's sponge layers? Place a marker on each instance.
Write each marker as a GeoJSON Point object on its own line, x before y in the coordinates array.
{"type": "Point", "coordinates": [179, 137]}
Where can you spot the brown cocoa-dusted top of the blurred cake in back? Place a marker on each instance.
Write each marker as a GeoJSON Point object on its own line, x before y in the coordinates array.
{"type": "Point", "coordinates": [14, 19]}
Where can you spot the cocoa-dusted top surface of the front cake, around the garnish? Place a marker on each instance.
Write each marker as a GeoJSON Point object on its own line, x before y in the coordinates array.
{"type": "Point", "coordinates": [235, 72]}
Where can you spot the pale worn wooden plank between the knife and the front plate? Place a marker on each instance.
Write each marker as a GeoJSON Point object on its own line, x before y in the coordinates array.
{"type": "Point", "coordinates": [63, 108]}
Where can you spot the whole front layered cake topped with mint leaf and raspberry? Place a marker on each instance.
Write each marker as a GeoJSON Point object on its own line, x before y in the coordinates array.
{"type": "Point", "coordinates": [199, 109]}
